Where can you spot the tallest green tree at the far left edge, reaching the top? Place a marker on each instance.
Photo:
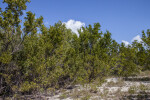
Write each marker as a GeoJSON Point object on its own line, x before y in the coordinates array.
{"type": "Point", "coordinates": [10, 43]}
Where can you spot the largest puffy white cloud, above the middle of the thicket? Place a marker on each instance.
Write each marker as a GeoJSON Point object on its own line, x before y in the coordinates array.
{"type": "Point", "coordinates": [74, 25]}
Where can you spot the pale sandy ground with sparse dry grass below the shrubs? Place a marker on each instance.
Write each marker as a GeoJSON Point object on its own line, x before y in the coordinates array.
{"type": "Point", "coordinates": [131, 88]}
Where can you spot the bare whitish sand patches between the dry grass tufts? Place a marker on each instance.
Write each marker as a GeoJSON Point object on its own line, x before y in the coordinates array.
{"type": "Point", "coordinates": [103, 88]}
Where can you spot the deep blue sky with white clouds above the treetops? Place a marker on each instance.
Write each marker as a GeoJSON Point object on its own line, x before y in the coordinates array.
{"type": "Point", "coordinates": [124, 19]}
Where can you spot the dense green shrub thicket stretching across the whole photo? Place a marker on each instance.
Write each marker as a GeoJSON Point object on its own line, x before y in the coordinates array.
{"type": "Point", "coordinates": [34, 57]}
